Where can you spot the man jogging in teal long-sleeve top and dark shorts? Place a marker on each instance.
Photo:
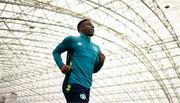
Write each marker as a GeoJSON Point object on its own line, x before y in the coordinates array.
{"type": "Point", "coordinates": [83, 59]}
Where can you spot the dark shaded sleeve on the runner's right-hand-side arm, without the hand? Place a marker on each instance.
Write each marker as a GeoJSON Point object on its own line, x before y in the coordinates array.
{"type": "Point", "coordinates": [98, 64]}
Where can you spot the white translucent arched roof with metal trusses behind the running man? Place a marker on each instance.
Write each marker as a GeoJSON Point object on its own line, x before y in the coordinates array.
{"type": "Point", "coordinates": [140, 39]}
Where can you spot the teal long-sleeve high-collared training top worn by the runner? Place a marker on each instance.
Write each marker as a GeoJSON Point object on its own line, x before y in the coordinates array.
{"type": "Point", "coordinates": [85, 60]}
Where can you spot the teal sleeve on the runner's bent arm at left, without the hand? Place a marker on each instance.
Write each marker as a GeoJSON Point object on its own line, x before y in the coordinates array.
{"type": "Point", "coordinates": [62, 47]}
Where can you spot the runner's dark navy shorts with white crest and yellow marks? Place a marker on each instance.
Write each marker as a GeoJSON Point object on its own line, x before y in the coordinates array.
{"type": "Point", "coordinates": [75, 93]}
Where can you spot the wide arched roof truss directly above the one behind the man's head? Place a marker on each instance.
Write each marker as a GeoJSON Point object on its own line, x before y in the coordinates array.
{"type": "Point", "coordinates": [144, 26]}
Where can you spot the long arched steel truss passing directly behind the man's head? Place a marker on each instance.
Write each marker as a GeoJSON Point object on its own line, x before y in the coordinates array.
{"type": "Point", "coordinates": [136, 53]}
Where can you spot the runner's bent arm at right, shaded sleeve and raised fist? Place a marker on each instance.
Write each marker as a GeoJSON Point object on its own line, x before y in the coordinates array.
{"type": "Point", "coordinates": [99, 62]}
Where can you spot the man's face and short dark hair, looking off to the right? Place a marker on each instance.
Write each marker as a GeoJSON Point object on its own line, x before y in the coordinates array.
{"type": "Point", "coordinates": [87, 28]}
